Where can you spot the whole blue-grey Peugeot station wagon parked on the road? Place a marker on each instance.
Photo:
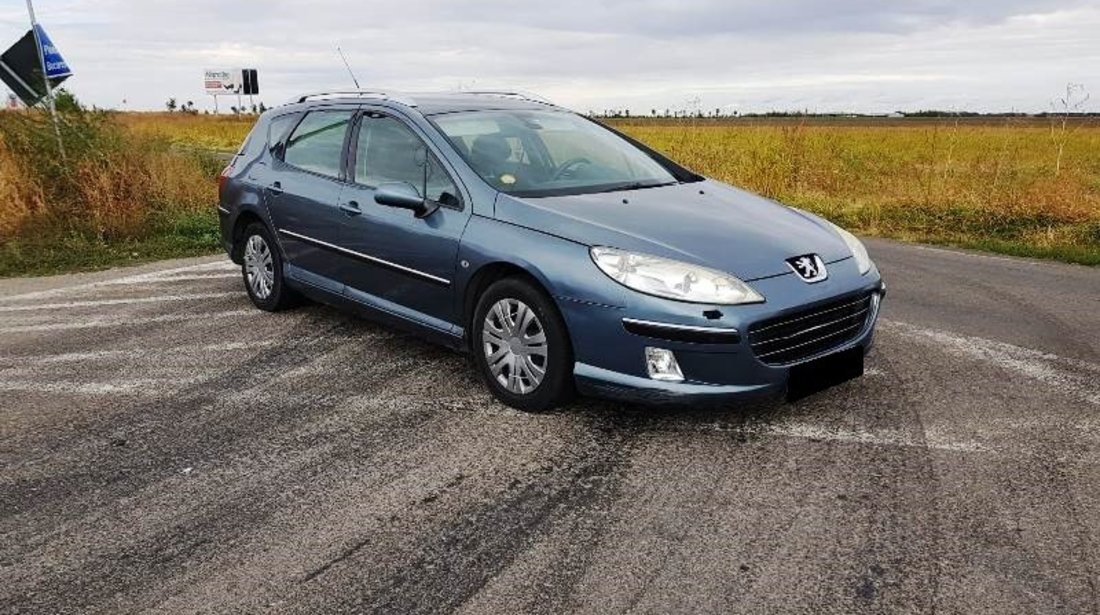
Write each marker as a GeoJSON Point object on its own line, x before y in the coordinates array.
{"type": "Point", "coordinates": [564, 256]}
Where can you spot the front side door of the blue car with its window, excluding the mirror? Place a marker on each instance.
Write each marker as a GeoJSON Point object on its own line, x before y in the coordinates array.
{"type": "Point", "coordinates": [409, 263]}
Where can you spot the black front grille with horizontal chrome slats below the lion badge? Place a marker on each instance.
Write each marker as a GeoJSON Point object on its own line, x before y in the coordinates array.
{"type": "Point", "coordinates": [802, 335]}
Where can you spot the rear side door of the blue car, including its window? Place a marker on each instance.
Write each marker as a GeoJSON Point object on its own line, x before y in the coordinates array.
{"type": "Point", "coordinates": [303, 194]}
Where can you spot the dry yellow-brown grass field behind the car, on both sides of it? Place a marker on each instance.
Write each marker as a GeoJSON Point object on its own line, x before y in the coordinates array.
{"type": "Point", "coordinates": [1018, 186]}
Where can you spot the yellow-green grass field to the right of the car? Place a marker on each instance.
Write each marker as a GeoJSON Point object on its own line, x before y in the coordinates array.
{"type": "Point", "coordinates": [1018, 186]}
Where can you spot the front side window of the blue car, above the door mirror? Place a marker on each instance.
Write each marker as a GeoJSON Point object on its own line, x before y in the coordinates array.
{"type": "Point", "coordinates": [389, 151]}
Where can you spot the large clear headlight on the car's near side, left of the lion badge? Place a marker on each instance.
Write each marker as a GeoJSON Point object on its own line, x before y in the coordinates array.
{"type": "Point", "coordinates": [673, 280]}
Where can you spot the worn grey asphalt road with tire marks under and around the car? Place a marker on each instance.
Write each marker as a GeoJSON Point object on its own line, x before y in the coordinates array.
{"type": "Point", "coordinates": [167, 448]}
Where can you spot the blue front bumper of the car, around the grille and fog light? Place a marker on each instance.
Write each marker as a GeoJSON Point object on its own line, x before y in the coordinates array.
{"type": "Point", "coordinates": [611, 359]}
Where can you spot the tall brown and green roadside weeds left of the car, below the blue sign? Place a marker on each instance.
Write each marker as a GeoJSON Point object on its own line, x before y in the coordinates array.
{"type": "Point", "coordinates": [120, 196]}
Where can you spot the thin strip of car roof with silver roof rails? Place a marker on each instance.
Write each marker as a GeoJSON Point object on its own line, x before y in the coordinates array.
{"type": "Point", "coordinates": [433, 104]}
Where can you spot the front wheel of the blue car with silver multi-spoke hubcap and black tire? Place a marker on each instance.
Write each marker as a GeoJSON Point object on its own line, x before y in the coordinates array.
{"type": "Point", "coordinates": [531, 370]}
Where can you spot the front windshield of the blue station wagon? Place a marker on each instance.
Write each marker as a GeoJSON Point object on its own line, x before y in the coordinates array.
{"type": "Point", "coordinates": [548, 153]}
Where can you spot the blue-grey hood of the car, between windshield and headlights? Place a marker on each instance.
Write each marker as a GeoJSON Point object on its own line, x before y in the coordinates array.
{"type": "Point", "coordinates": [703, 223]}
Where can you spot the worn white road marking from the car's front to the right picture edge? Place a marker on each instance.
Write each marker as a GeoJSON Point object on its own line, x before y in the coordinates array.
{"type": "Point", "coordinates": [1050, 369]}
